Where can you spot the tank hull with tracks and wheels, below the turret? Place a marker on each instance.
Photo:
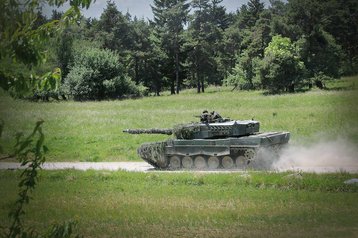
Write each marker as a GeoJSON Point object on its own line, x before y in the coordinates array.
{"type": "Point", "coordinates": [212, 154]}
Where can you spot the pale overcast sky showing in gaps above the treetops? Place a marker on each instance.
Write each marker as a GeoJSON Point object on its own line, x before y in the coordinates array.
{"type": "Point", "coordinates": [141, 8]}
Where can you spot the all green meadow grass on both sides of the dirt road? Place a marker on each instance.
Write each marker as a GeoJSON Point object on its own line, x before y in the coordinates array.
{"type": "Point", "coordinates": [189, 204]}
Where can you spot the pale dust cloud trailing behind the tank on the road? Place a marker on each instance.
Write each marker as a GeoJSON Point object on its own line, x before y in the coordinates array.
{"type": "Point", "coordinates": [321, 157]}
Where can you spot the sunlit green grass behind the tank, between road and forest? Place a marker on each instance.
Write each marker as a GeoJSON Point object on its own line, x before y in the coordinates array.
{"type": "Point", "coordinates": [92, 131]}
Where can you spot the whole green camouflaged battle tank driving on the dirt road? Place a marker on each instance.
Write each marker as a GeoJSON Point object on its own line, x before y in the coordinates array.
{"type": "Point", "coordinates": [213, 143]}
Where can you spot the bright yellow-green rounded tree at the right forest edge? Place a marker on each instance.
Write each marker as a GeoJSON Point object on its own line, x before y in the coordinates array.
{"type": "Point", "coordinates": [281, 68]}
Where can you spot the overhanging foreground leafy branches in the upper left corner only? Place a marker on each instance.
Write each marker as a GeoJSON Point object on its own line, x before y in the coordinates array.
{"type": "Point", "coordinates": [23, 34]}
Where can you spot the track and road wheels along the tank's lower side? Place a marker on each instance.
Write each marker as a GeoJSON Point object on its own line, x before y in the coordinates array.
{"type": "Point", "coordinates": [240, 158]}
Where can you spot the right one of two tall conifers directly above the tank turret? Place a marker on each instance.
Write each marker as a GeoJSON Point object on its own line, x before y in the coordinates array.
{"type": "Point", "coordinates": [204, 42]}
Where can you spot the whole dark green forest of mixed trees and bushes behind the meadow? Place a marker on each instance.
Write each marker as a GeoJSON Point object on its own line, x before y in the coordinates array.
{"type": "Point", "coordinates": [284, 47]}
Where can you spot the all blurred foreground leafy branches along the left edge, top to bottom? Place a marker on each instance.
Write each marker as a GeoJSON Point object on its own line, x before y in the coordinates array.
{"type": "Point", "coordinates": [23, 34]}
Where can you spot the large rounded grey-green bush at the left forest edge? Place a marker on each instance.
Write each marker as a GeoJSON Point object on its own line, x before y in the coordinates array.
{"type": "Point", "coordinates": [96, 74]}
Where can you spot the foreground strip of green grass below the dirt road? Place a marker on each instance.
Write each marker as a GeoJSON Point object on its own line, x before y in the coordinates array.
{"type": "Point", "coordinates": [254, 204]}
